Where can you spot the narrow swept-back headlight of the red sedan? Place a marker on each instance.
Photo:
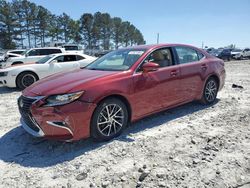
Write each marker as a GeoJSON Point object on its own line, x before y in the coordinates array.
{"type": "Point", "coordinates": [56, 100]}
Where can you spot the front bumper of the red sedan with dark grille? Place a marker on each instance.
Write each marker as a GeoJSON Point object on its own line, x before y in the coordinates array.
{"type": "Point", "coordinates": [68, 122]}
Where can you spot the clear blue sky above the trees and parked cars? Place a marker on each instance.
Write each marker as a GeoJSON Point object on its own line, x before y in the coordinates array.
{"type": "Point", "coordinates": [215, 23]}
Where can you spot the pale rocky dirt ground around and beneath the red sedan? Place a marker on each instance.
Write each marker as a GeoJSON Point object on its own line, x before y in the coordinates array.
{"type": "Point", "coordinates": [189, 146]}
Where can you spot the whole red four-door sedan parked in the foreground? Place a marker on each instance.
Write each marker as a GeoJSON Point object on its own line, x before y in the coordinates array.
{"type": "Point", "coordinates": [123, 86]}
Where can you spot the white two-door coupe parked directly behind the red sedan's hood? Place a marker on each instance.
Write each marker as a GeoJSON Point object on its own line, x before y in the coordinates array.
{"type": "Point", "coordinates": [25, 75]}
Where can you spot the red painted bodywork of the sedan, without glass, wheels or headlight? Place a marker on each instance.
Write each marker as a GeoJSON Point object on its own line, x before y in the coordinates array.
{"type": "Point", "coordinates": [145, 93]}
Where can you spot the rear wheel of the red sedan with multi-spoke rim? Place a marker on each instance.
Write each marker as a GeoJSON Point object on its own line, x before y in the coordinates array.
{"type": "Point", "coordinates": [210, 91]}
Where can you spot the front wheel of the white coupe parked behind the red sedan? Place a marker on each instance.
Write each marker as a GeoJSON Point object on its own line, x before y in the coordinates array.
{"type": "Point", "coordinates": [26, 79]}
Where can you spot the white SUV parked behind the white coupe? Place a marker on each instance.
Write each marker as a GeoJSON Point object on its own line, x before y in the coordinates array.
{"type": "Point", "coordinates": [32, 55]}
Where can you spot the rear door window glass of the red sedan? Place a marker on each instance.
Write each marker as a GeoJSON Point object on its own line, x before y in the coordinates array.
{"type": "Point", "coordinates": [186, 55]}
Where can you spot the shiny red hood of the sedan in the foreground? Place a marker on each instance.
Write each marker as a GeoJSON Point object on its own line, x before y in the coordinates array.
{"type": "Point", "coordinates": [65, 82]}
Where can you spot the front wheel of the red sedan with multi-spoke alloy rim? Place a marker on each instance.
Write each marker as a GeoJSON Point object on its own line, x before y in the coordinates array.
{"type": "Point", "coordinates": [109, 120]}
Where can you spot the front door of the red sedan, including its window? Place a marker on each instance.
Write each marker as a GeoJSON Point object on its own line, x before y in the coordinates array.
{"type": "Point", "coordinates": [158, 89]}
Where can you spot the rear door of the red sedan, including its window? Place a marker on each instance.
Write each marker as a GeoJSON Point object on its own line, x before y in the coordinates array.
{"type": "Point", "coordinates": [193, 66]}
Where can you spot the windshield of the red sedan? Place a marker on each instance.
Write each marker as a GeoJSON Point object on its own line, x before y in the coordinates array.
{"type": "Point", "coordinates": [118, 60]}
